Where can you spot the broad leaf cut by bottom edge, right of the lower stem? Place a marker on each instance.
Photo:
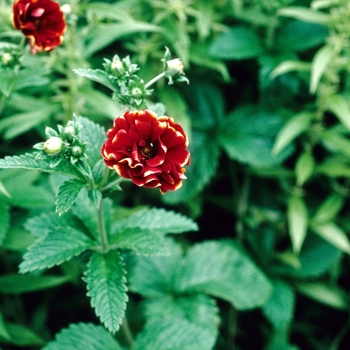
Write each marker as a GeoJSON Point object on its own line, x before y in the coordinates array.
{"type": "Point", "coordinates": [173, 334]}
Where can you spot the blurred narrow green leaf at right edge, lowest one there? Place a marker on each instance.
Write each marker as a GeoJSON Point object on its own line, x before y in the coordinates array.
{"type": "Point", "coordinates": [330, 295]}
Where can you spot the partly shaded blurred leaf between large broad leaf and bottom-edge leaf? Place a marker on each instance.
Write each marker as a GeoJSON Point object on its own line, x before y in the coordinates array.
{"type": "Point", "coordinates": [198, 309]}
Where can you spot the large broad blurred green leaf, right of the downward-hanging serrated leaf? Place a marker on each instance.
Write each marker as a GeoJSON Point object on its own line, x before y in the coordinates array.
{"type": "Point", "coordinates": [231, 275]}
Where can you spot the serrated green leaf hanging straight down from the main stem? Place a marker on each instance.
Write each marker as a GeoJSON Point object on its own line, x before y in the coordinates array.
{"type": "Point", "coordinates": [106, 285]}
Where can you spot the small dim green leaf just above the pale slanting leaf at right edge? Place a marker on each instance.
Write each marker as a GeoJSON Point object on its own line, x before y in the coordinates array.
{"type": "Point", "coordinates": [329, 209]}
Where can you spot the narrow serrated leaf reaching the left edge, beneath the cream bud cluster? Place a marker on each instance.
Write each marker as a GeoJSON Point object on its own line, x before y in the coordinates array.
{"type": "Point", "coordinates": [28, 161]}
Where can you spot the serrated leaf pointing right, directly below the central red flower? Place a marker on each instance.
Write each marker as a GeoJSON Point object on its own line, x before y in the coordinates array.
{"type": "Point", "coordinates": [160, 221]}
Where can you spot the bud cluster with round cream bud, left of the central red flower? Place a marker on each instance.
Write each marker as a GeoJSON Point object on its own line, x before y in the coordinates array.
{"type": "Point", "coordinates": [64, 144]}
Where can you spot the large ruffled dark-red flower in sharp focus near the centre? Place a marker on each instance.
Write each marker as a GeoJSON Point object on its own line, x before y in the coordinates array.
{"type": "Point", "coordinates": [150, 150]}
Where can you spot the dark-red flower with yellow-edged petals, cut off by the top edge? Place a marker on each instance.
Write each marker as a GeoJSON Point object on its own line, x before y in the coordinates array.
{"type": "Point", "coordinates": [41, 21]}
